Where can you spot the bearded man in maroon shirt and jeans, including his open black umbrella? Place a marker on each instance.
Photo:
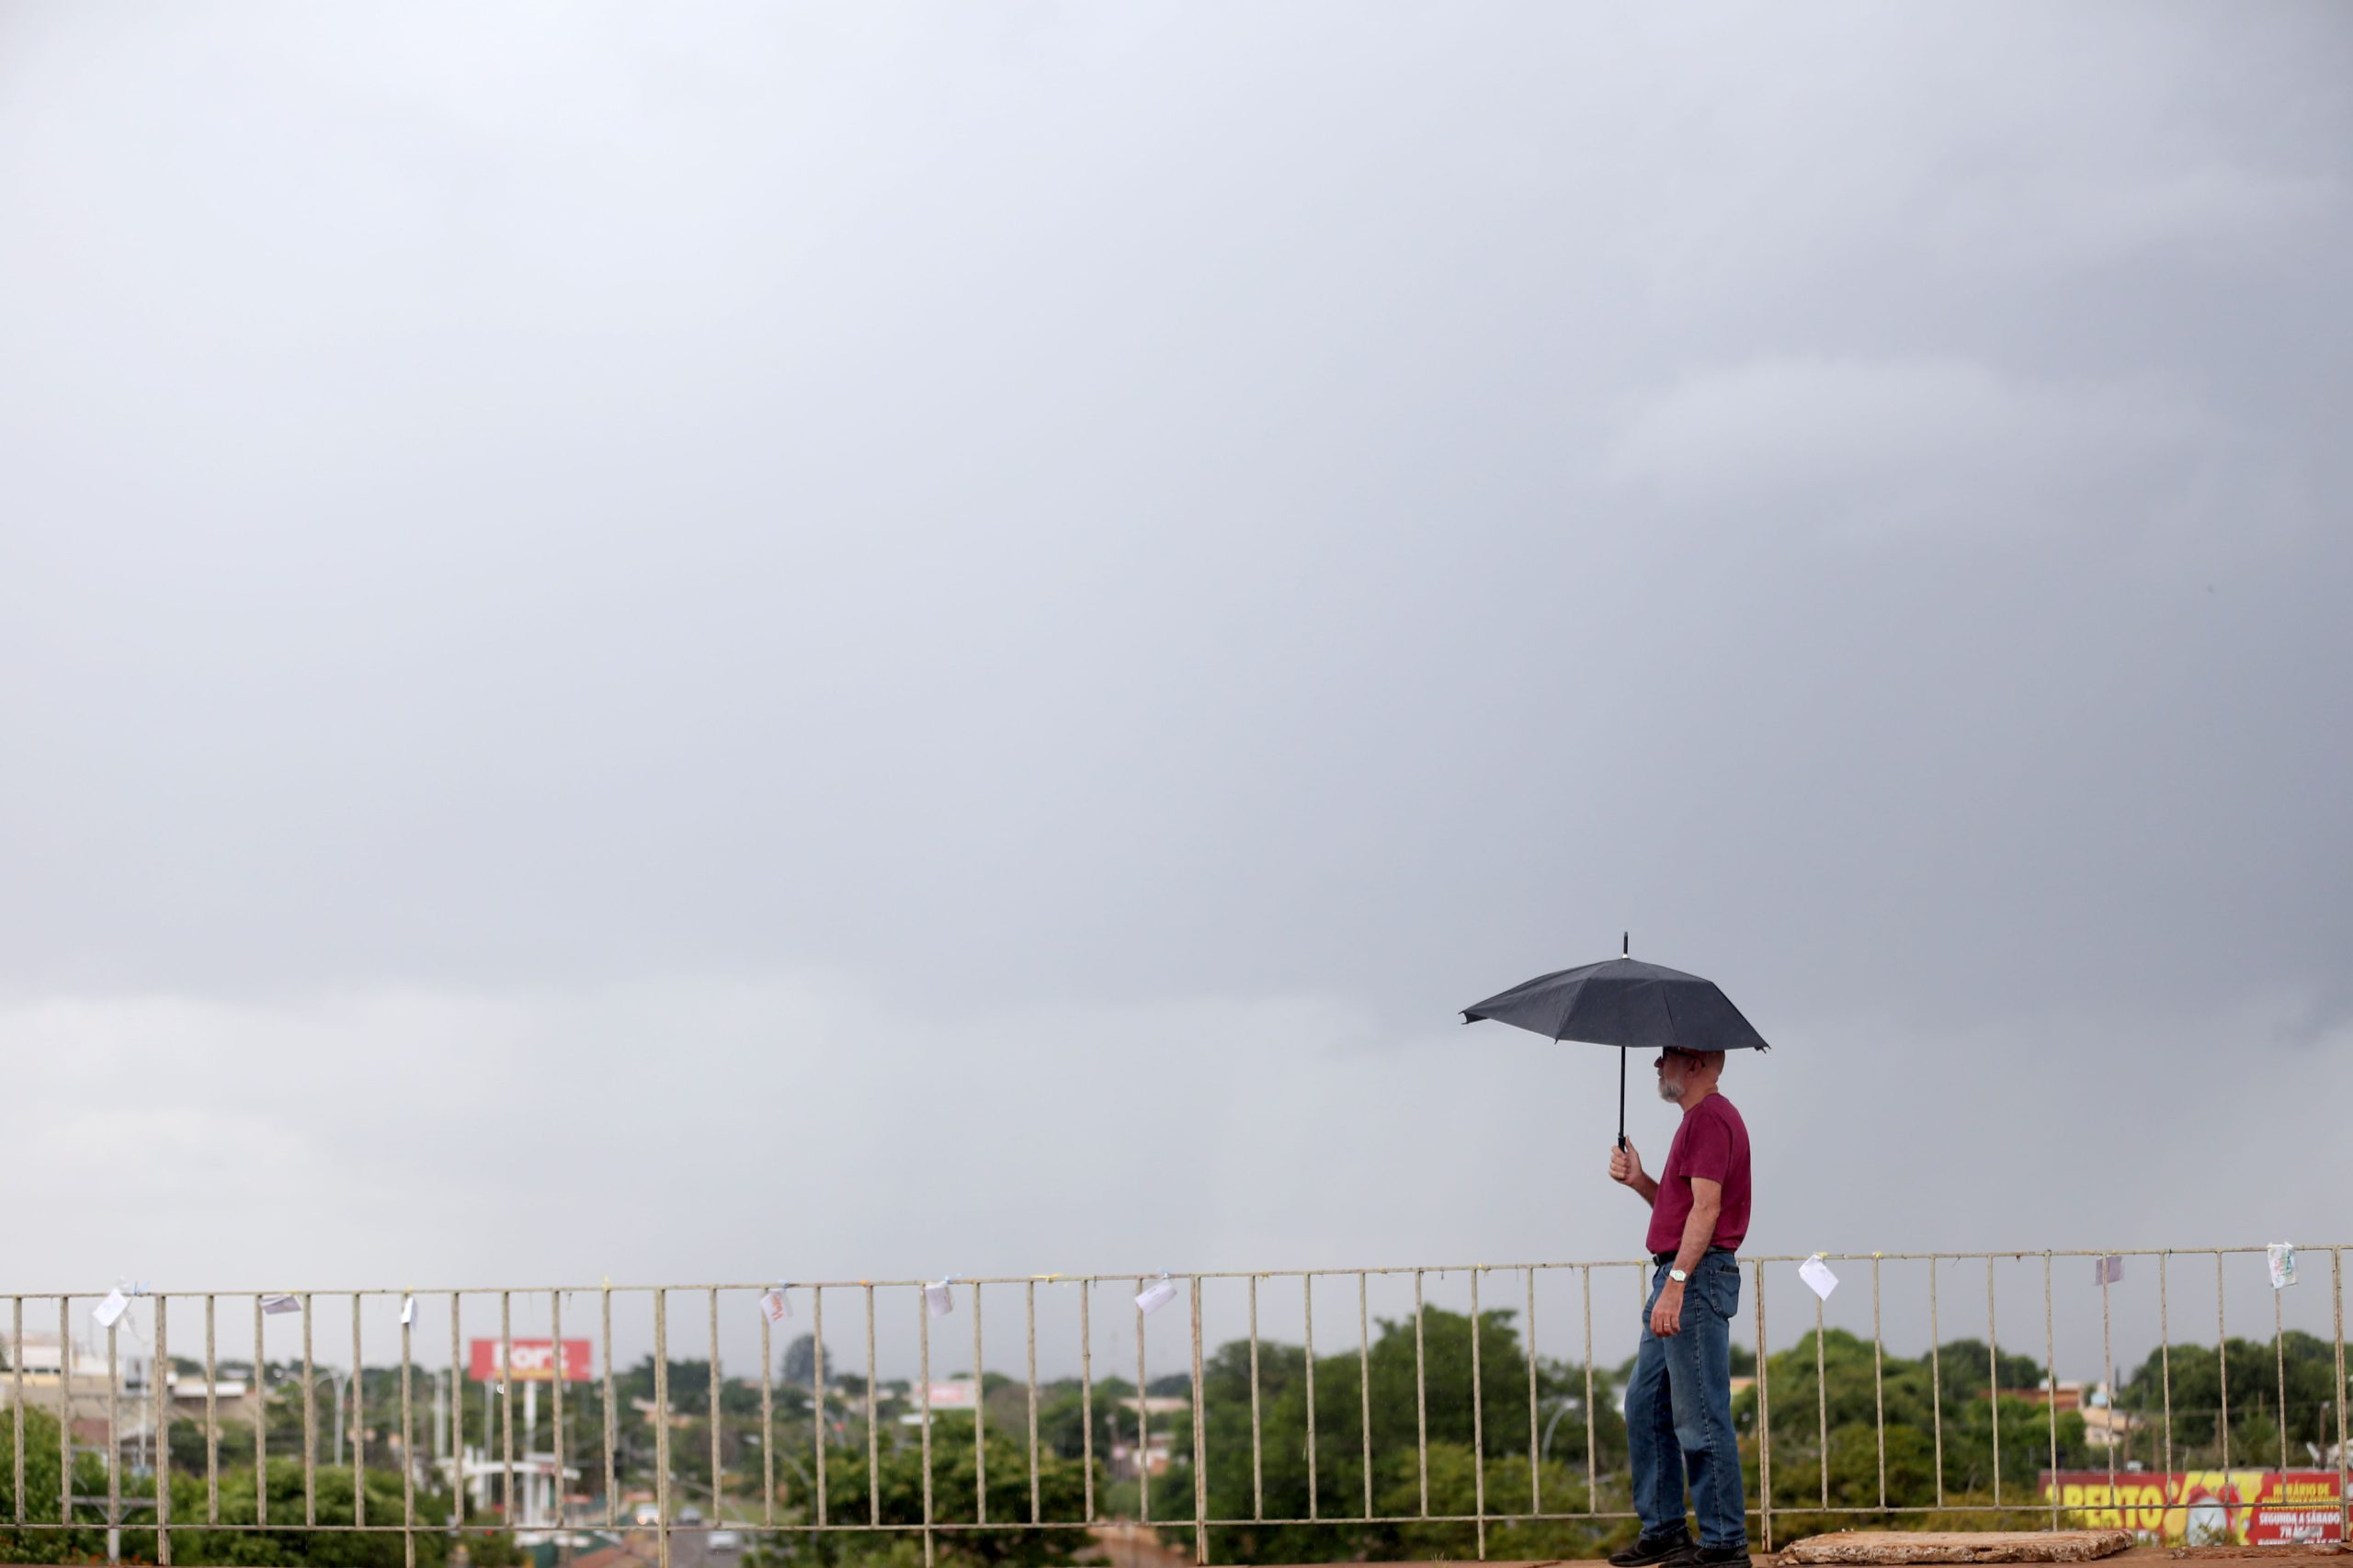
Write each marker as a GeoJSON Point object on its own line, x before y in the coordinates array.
{"type": "Point", "coordinates": [1679, 1407]}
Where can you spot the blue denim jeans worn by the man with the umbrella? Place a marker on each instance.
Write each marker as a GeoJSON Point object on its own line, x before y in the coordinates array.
{"type": "Point", "coordinates": [1679, 1411]}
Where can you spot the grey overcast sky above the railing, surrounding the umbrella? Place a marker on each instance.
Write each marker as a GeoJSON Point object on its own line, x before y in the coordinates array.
{"type": "Point", "coordinates": [851, 642]}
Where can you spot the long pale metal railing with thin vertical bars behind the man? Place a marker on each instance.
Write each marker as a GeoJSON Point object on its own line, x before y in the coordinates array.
{"type": "Point", "coordinates": [1340, 1468]}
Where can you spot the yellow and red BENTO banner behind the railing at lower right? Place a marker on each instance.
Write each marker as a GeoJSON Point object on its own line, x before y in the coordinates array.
{"type": "Point", "coordinates": [2204, 1508]}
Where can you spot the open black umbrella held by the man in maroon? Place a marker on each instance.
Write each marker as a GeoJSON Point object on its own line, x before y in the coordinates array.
{"type": "Point", "coordinates": [1629, 1006]}
